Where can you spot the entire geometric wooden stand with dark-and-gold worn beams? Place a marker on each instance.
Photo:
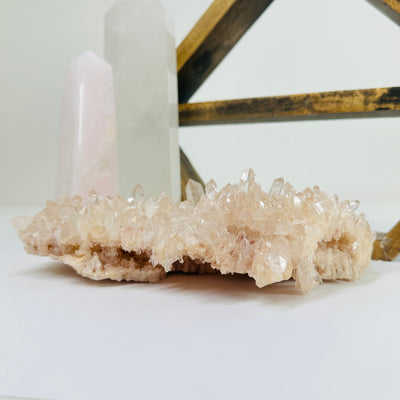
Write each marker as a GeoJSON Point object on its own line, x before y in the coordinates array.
{"type": "Point", "coordinates": [211, 39]}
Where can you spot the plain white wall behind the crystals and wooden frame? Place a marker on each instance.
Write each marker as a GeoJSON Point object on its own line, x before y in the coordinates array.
{"type": "Point", "coordinates": [294, 47]}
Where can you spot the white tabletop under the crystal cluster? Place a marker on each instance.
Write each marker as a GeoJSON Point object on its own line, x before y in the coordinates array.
{"type": "Point", "coordinates": [196, 337]}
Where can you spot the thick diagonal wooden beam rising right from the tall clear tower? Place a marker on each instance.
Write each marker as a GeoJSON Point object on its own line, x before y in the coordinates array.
{"type": "Point", "coordinates": [211, 39]}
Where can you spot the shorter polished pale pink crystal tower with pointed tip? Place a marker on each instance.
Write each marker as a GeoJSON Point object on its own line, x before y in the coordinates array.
{"type": "Point", "coordinates": [88, 142]}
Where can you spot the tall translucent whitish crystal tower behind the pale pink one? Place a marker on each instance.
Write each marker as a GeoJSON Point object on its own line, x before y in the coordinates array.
{"type": "Point", "coordinates": [140, 46]}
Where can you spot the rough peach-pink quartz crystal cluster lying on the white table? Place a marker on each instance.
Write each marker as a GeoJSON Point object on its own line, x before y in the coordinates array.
{"type": "Point", "coordinates": [308, 236]}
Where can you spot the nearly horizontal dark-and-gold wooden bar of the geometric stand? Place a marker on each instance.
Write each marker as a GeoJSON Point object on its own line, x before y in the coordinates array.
{"type": "Point", "coordinates": [326, 105]}
